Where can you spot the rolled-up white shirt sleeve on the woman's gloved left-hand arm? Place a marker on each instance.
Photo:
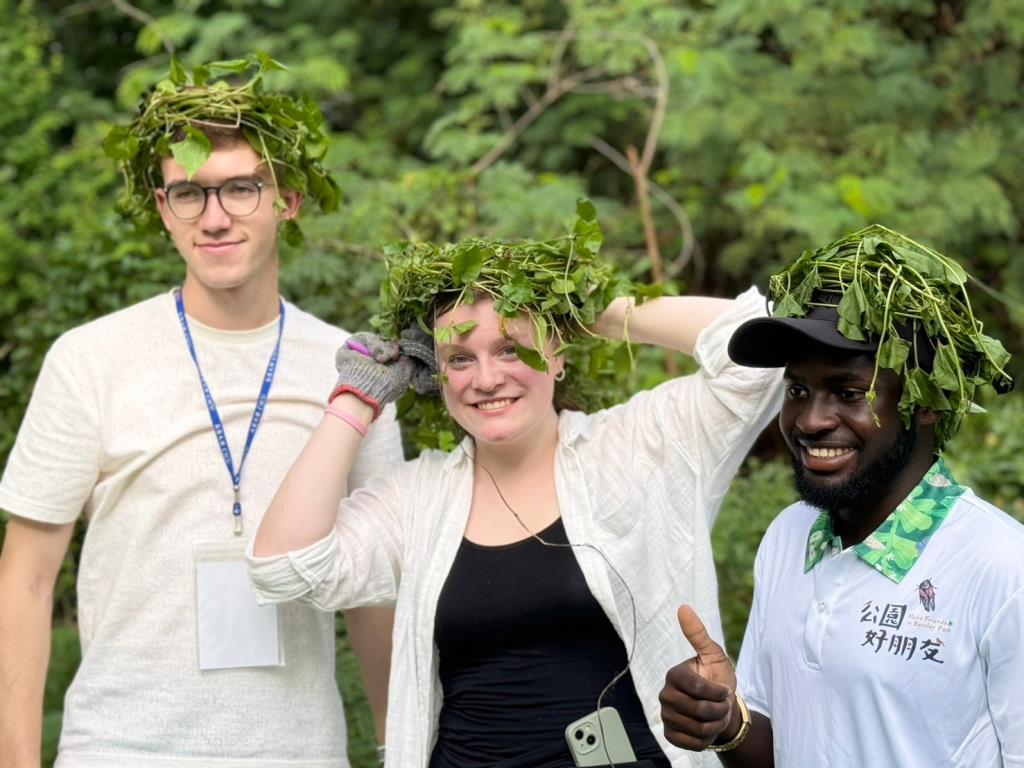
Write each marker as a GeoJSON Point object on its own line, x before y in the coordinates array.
{"type": "Point", "coordinates": [358, 564]}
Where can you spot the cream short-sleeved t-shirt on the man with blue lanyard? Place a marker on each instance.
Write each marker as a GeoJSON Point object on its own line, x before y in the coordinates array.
{"type": "Point", "coordinates": [118, 429]}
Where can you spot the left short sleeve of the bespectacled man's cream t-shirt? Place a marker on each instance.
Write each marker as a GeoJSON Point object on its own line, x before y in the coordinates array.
{"type": "Point", "coordinates": [56, 461]}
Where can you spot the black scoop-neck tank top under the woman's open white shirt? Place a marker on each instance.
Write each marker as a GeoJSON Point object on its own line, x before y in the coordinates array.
{"type": "Point", "coordinates": [525, 651]}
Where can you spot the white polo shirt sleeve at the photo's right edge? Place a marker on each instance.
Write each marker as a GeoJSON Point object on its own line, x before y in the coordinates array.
{"type": "Point", "coordinates": [1004, 662]}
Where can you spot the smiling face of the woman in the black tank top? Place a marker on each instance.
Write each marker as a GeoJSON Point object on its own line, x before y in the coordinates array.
{"type": "Point", "coordinates": [492, 394]}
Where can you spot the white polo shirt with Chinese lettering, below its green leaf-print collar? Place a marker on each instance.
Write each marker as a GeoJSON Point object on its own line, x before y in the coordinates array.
{"type": "Point", "coordinates": [857, 670]}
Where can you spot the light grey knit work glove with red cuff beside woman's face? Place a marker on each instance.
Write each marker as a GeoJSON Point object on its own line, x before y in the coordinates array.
{"type": "Point", "coordinates": [373, 370]}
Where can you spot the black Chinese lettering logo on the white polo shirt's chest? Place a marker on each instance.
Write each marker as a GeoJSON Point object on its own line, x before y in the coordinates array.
{"type": "Point", "coordinates": [907, 634]}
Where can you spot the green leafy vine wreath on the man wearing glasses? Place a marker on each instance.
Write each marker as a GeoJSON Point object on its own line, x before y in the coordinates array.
{"type": "Point", "coordinates": [288, 133]}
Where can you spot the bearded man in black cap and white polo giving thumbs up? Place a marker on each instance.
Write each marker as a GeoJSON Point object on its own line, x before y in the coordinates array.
{"type": "Point", "coordinates": [889, 603]}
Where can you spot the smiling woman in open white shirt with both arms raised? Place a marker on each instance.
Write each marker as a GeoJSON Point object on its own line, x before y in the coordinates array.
{"type": "Point", "coordinates": [550, 547]}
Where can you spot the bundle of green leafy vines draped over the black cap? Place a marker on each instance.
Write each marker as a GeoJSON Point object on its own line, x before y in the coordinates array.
{"type": "Point", "coordinates": [895, 292]}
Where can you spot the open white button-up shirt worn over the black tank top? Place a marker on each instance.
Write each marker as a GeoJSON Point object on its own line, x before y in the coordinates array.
{"type": "Point", "coordinates": [643, 482]}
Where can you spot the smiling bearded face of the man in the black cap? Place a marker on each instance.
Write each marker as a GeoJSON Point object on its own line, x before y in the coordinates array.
{"type": "Point", "coordinates": [843, 458]}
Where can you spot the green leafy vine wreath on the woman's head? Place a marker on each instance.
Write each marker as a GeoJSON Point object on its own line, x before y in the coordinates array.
{"type": "Point", "coordinates": [560, 286]}
